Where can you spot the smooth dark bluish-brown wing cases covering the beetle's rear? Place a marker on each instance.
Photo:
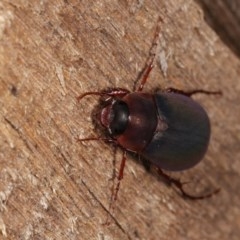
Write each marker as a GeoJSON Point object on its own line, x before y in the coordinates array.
{"type": "Point", "coordinates": [184, 143]}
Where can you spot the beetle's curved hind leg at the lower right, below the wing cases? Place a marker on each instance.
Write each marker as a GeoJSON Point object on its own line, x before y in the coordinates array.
{"type": "Point", "coordinates": [177, 183]}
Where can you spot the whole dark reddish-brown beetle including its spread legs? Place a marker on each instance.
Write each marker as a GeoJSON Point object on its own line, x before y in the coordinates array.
{"type": "Point", "coordinates": [167, 128]}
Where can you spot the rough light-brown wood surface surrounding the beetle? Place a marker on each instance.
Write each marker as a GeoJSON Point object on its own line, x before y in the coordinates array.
{"type": "Point", "coordinates": [52, 187]}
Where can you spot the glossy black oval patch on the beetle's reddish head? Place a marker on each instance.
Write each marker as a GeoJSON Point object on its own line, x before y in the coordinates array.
{"type": "Point", "coordinates": [119, 117]}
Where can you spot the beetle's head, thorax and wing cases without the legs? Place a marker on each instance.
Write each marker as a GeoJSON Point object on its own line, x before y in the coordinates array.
{"type": "Point", "coordinates": [169, 129]}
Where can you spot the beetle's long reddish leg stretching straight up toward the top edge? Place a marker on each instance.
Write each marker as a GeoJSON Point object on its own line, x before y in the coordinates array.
{"type": "Point", "coordinates": [150, 61]}
